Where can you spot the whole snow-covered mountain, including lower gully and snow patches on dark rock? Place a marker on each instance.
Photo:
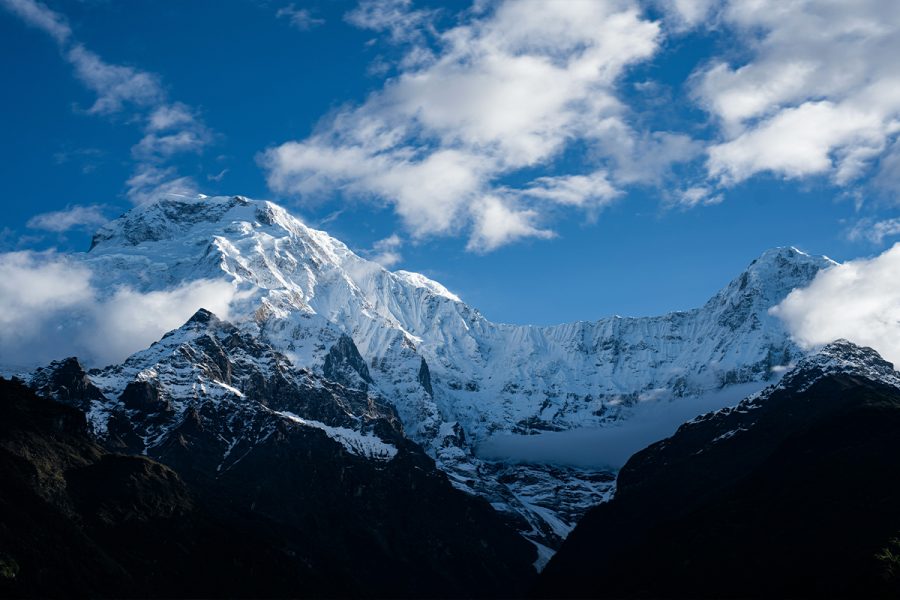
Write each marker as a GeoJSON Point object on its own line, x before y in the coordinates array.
{"type": "Point", "coordinates": [401, 339]}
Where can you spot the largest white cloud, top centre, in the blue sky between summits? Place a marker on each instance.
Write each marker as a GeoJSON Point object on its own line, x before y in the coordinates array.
{"type": "Point", "coordinates": [511, 88]}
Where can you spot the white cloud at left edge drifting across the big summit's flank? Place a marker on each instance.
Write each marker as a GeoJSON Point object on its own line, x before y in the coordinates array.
{"type": "Point", "coordinates": [52, 310]}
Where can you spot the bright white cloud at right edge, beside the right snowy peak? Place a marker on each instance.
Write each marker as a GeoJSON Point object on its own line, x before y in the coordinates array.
{"type": "Point", "coordinates": [858, 300]}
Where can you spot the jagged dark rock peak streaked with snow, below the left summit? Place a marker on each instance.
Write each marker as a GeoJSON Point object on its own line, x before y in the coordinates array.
{"type": "Point", "coordinates": [210, 389]}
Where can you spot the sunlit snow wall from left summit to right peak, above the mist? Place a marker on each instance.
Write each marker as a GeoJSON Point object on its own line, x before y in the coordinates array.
{"type": "Point", "coordinates": [305, 288]}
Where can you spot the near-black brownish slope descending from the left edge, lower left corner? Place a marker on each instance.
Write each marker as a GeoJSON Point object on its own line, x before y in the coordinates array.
{"type": "Point", "coordinates": [78, 521]}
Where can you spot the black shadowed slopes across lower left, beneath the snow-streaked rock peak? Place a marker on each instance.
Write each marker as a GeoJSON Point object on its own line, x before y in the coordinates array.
{"type": "Point", "coordinates": [76, 520]}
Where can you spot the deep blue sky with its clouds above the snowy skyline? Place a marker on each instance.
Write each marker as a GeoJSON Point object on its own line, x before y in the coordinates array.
{"type": "Point", "coordinates": [547, 161]}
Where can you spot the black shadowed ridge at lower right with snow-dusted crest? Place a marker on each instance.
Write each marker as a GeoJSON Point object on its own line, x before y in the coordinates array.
{"type": "Point", "coordinates": [793, 492]}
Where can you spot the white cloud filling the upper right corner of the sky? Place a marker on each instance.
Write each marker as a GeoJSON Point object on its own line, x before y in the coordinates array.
{"type": "Point", "coordinates": [817, 94]}
